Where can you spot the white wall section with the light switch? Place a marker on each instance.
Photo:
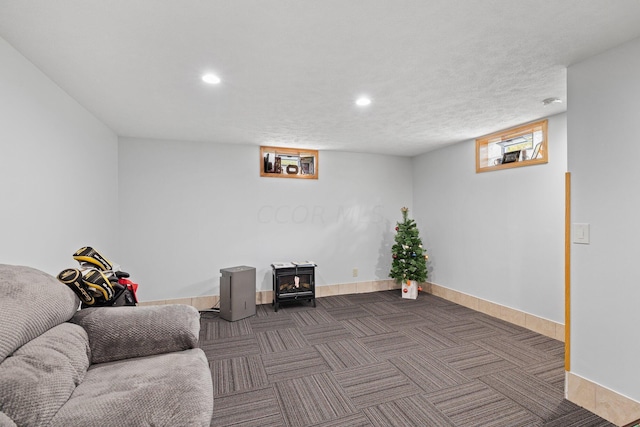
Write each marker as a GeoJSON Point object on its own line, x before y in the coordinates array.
{"type": "Point", "coordinates": [604, 148]}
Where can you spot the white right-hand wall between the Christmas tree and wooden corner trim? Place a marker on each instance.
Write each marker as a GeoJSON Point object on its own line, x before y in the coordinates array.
{"type": "Point", "coordinates": [496, 235]}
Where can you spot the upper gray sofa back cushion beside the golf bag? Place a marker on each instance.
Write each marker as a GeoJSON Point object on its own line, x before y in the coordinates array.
{"type": "Point", "coordinates": [31, 302]}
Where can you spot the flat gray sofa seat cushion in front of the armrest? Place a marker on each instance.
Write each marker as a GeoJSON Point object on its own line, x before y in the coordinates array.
{"type": "Point", "coordinates": [172, 389]}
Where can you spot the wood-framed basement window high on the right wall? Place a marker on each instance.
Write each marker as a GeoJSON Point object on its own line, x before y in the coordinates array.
{"type": "Point", "coordinates": [511, 148]}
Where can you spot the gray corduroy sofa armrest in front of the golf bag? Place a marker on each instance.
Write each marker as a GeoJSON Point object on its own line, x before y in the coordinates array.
{"type": "Point", "coordinates": [124, 332]}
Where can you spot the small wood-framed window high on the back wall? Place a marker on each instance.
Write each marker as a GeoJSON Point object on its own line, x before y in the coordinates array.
{"type": "Point", "coordinates": [280, 162]}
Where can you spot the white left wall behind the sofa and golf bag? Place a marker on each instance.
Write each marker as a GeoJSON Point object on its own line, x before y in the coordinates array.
{"type": "Point", "coordinates": [58, 171]}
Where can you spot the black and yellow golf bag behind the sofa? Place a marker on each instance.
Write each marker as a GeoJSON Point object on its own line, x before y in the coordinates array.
{"type": "Point", "coordinates": [97, 282]}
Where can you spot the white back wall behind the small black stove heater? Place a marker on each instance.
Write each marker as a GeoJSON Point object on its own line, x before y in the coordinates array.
{"type": "Point", "coordinates": [189, 209]}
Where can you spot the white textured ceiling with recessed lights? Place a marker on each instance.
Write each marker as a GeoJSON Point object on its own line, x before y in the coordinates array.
{"type": "Point", "coordinates": [438, 71]}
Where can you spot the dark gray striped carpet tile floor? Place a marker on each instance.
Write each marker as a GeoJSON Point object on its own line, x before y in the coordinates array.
{"type": "Point", "coordinates": [376, 359]}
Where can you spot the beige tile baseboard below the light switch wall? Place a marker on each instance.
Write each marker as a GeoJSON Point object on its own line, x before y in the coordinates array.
{"type": "Point", "coordinates": [606, 403]}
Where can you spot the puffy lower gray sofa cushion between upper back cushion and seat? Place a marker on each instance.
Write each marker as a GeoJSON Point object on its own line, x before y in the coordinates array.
{"type": "Point", "coordinates": [39, 377]}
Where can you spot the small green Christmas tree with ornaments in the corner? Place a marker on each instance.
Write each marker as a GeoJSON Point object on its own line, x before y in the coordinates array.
{"type": "Point", "coordinates": [409, 258]}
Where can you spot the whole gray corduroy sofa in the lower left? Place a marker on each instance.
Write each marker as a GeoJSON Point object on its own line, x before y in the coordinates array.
{"type": "Point", "coordinates": [102, 366]}
